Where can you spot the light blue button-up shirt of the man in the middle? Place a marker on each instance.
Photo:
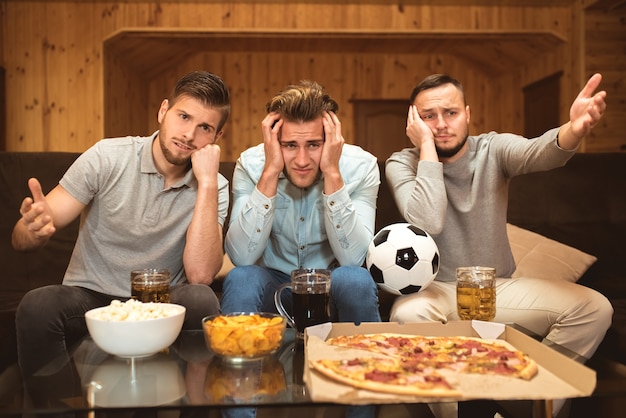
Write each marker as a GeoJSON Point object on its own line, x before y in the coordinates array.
{"type": "Point", "coordinates": [303, 227]}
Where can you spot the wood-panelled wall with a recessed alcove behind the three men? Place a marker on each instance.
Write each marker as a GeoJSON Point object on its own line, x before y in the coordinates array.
{"type": "Point", "coordinates": [79, 71]}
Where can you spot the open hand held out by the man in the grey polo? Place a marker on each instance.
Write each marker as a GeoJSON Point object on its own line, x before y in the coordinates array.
{"type": "Point", "coordinates": [36, 213]}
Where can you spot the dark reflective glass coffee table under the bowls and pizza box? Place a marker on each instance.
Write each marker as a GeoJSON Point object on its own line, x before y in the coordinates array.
{"type": "Point", "coordinates": [186, 377]}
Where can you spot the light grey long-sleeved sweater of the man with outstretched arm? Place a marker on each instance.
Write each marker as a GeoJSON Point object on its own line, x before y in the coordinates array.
{"type": "Point", "coordinates": [463, 204]}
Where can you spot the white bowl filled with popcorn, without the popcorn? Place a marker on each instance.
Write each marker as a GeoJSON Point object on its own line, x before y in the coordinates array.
{"type": "Point", "coordinates": [135, 338]}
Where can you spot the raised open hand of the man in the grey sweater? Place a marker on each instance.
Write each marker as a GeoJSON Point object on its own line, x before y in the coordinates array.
{"type": "Point", "coordinates": [588, 108]}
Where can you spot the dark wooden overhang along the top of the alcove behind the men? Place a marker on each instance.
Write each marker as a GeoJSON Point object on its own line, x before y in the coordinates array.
{"type": "Point", "coordinates": [495, 52]}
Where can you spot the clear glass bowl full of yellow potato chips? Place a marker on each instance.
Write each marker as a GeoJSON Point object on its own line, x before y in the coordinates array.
{"type": "Point", "coordinates": [244, 336]}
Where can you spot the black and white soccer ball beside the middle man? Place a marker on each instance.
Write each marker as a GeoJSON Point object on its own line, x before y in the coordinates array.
{"type": "Point", "coordinates": [402, 259]}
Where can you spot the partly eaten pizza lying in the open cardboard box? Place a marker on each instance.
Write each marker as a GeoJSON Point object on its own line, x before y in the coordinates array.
{"type": "Point", "coordinates": [419, 365]}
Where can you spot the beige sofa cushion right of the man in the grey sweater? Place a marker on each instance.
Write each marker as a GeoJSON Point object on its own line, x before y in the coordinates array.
{"type": "Point", "coordinates": [545, 258]}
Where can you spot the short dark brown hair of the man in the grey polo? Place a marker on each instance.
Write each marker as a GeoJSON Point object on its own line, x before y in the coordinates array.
{"type": "Point", "coordinates": [207, 88]}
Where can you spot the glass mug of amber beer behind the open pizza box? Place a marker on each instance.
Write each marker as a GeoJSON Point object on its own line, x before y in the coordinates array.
{"type": "Point", "coordinates": [476, 293]}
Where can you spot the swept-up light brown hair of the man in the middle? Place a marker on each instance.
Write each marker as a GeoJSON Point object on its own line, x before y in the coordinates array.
{"type": "Point", "coordinates": [302, 102]}
